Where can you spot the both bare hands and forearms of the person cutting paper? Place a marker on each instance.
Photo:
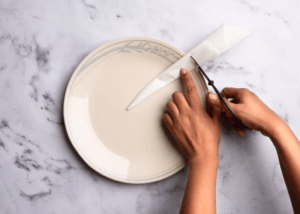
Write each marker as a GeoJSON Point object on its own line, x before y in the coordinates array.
{"type": "Point", "coordinates": [198, 134]}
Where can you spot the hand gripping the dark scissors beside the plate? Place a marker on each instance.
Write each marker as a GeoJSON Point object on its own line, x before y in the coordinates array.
{"type": "Point", "coordinates": [249, 108]}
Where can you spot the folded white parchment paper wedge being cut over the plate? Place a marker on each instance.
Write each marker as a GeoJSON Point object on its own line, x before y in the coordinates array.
{"type": "Point", "coordinates": [222, 39]}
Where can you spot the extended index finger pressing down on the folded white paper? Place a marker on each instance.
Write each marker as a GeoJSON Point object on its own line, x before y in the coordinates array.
{"type": "Point", "coordinates": [191, 91]}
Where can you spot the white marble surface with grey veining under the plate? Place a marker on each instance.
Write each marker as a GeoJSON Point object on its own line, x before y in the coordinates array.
{"type": "Point", "coordinates": [41, 42]}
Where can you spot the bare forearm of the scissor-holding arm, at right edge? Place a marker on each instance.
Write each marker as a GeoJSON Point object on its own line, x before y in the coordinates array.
{"type": "Point", "coordinates": [288, 149]}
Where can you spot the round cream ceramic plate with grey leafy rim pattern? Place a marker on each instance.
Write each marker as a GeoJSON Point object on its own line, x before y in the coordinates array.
{"type": "Point", "coordinates": [127, 146]}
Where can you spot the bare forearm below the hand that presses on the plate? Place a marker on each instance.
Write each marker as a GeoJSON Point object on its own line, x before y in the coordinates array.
{"type": "Point", "coordinates": [200, 193]}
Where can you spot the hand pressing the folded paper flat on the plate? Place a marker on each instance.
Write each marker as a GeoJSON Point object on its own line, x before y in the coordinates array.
{"type": "Point", "coordinates": [196, 131]}
